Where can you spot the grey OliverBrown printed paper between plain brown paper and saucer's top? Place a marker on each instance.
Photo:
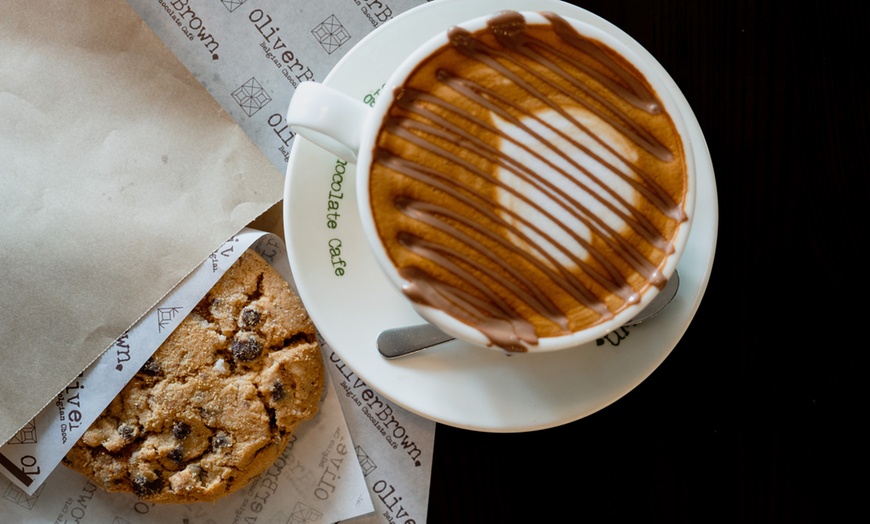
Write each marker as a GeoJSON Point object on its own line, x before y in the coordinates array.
{"type": "Point", "coordinates": [251, 55]}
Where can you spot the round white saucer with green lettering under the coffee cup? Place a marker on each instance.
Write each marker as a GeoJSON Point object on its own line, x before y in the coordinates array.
{"type": "Point", "coordinates": [457, 384]}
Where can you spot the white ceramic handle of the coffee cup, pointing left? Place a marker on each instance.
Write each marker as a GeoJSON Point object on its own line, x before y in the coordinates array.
{"type": "Point", "coordinates": [329, 118]}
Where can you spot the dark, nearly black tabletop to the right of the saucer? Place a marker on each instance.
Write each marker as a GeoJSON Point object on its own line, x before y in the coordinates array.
{"type": "Point", "coordinates": [754, 417]}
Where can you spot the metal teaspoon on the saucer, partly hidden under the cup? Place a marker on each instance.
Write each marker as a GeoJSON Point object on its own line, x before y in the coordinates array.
{"type": "Point", "coordinates": [405, 340]}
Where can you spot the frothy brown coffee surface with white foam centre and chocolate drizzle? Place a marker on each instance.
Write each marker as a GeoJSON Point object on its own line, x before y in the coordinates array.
{"type": "Point", "coordinates": [527, 181]}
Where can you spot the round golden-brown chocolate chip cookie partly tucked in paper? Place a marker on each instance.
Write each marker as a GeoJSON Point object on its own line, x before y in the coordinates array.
{"type": "Point", "coordinates": [218, 401]}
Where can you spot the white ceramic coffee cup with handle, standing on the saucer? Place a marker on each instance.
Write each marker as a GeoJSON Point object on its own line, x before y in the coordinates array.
{"type": "Point", "coordinates": [349, 128]}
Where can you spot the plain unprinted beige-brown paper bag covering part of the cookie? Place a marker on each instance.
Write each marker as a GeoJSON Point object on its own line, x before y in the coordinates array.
{"type": "Point", "coordinates": [120, 174]}
